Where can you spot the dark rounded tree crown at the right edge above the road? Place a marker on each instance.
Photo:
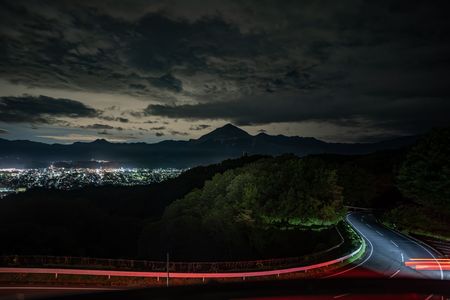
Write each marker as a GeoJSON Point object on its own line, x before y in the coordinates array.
{"type": "Point", "coordinates": [425, 175]}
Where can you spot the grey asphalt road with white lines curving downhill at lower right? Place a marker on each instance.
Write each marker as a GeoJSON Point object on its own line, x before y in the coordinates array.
{"type": "Point", "coordinates": [387, 252]}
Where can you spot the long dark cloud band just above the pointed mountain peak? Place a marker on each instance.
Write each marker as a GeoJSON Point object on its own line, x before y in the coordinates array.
{"type": "Point", "coordinates": [342, 109]}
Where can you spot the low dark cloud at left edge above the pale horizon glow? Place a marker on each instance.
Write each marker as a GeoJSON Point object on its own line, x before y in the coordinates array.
{"type": "Point", "coordinates": [42, 109]}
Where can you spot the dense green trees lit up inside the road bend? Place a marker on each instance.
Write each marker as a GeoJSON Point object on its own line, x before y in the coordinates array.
{"type": "Point", "coordinates": [279, 188]}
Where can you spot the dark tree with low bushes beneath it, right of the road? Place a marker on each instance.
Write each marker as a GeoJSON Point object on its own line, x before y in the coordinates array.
{"type": "Point", "coordinates": [424, 180]}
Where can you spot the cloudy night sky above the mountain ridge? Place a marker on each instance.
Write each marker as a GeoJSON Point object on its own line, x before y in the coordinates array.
{"type": "Point", "coordinates": [351, 71]}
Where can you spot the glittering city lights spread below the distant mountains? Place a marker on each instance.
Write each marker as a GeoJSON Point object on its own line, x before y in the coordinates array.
{"type": "Point", "coordinates": [19, 180]}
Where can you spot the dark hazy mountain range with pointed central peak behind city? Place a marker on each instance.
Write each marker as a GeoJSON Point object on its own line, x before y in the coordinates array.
{"type": "Point", "coordinates": [225, 142]}
